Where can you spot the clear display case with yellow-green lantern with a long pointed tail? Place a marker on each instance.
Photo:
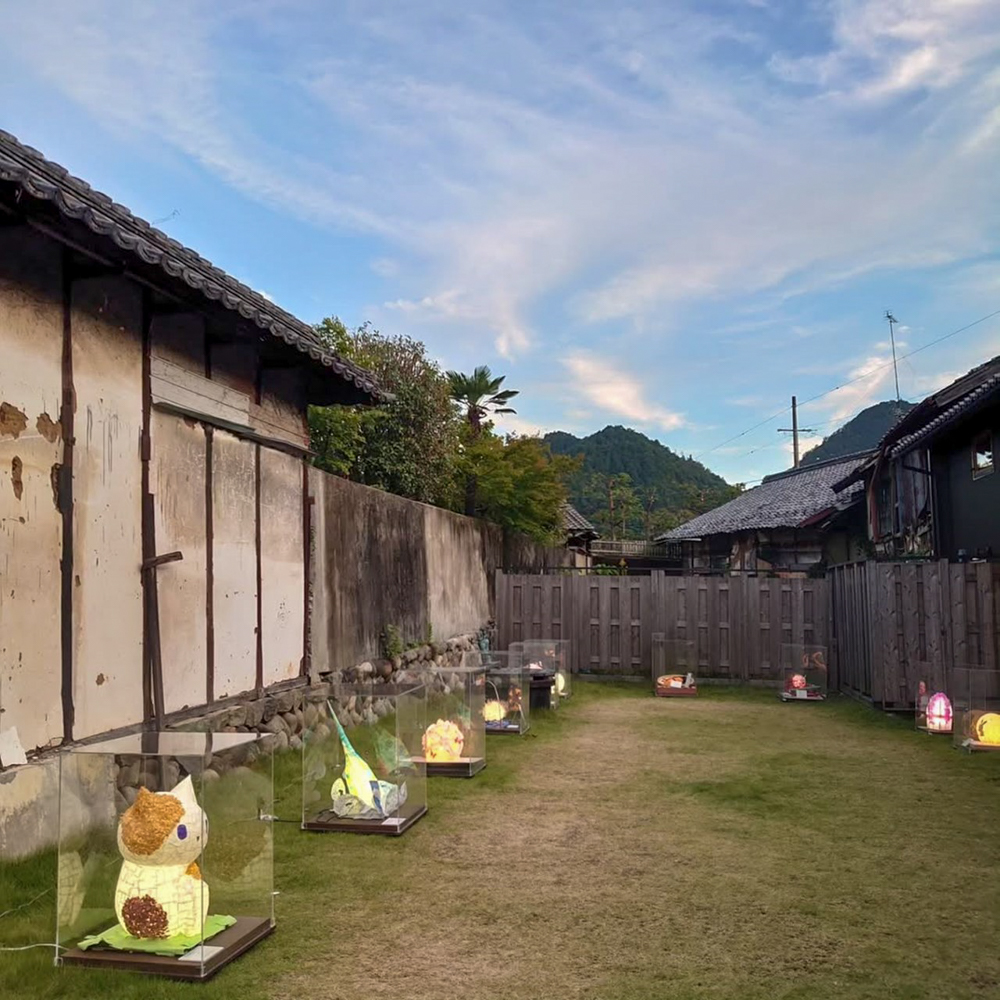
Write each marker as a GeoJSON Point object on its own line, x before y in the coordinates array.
{"type": "Point", "coordinates": [362, 763]}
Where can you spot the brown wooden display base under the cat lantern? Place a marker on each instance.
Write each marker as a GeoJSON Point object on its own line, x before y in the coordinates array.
{"type": "Point", "coordinates": [220, 950]}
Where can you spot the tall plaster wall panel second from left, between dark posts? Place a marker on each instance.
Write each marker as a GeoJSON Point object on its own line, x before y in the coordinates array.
{"type": "Point", "coordinates": [107, 516]}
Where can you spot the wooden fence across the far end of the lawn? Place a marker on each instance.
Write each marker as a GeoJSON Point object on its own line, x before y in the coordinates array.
{"type": "Point", "coordinates": [737, 624]}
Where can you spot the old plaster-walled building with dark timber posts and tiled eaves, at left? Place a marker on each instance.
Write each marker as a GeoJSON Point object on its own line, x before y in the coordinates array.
{"type": "Point", "coordinates": [154, 514]}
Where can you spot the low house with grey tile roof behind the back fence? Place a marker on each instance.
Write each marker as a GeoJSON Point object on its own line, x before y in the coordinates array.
{"type": "Point", "coordinates": [793, 523]}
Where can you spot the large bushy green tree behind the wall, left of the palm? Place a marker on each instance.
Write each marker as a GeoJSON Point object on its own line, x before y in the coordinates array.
{"type": "Point", "coordinates": [406, 446]}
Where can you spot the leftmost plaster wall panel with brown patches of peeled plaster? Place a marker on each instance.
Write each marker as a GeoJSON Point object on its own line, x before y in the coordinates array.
{"type": "Point", "coordinates": [30, 453]}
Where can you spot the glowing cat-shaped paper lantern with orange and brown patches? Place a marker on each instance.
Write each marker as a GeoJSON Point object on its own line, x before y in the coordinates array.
{"type": "Point", "coordinates": [160, 892]}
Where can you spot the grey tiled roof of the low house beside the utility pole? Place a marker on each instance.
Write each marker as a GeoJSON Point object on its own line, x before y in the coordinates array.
{"type": "Point", "coordinates": [784, 500]}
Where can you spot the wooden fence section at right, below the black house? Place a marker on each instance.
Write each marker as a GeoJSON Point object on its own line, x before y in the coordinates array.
{"type": "Point", "coordinates": [893, 624]}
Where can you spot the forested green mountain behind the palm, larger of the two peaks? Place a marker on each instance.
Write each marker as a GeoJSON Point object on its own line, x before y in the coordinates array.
{"type": "Point", "coordinates": [682, 486]}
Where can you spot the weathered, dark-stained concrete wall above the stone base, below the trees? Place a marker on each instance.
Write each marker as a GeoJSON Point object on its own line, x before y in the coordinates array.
{"type": "Point", "coordinates": [381, 560]}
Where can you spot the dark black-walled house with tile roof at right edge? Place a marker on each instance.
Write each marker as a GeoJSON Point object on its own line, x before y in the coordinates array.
{"type": "Point", "coordinates": [932, 488]}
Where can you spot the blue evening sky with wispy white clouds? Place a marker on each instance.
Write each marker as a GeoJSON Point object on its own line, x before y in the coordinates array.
{"type": "Point", "coordinates": [668, 215]}
